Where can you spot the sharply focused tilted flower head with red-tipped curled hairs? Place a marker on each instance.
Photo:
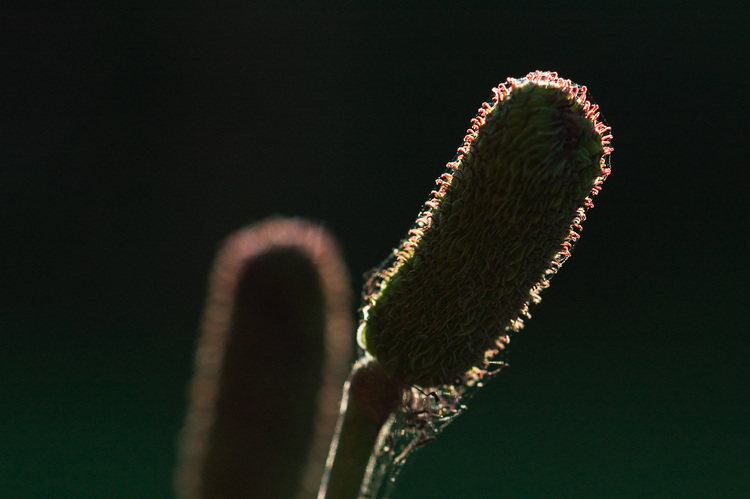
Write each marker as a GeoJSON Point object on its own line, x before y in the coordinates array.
{"type": "Point", "coordinates": [501, 222]}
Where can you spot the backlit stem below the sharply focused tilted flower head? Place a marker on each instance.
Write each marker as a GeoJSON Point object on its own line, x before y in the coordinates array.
{"type": "Point", "coordinates": [370, 396]}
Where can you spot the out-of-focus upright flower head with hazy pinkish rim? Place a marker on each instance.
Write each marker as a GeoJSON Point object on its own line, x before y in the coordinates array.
{"type": "Point", "coordinates": [273, 355]}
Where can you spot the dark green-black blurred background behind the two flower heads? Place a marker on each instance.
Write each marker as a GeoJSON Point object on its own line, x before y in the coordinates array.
{"type": "Point", "coordinates": [132, 142]}
